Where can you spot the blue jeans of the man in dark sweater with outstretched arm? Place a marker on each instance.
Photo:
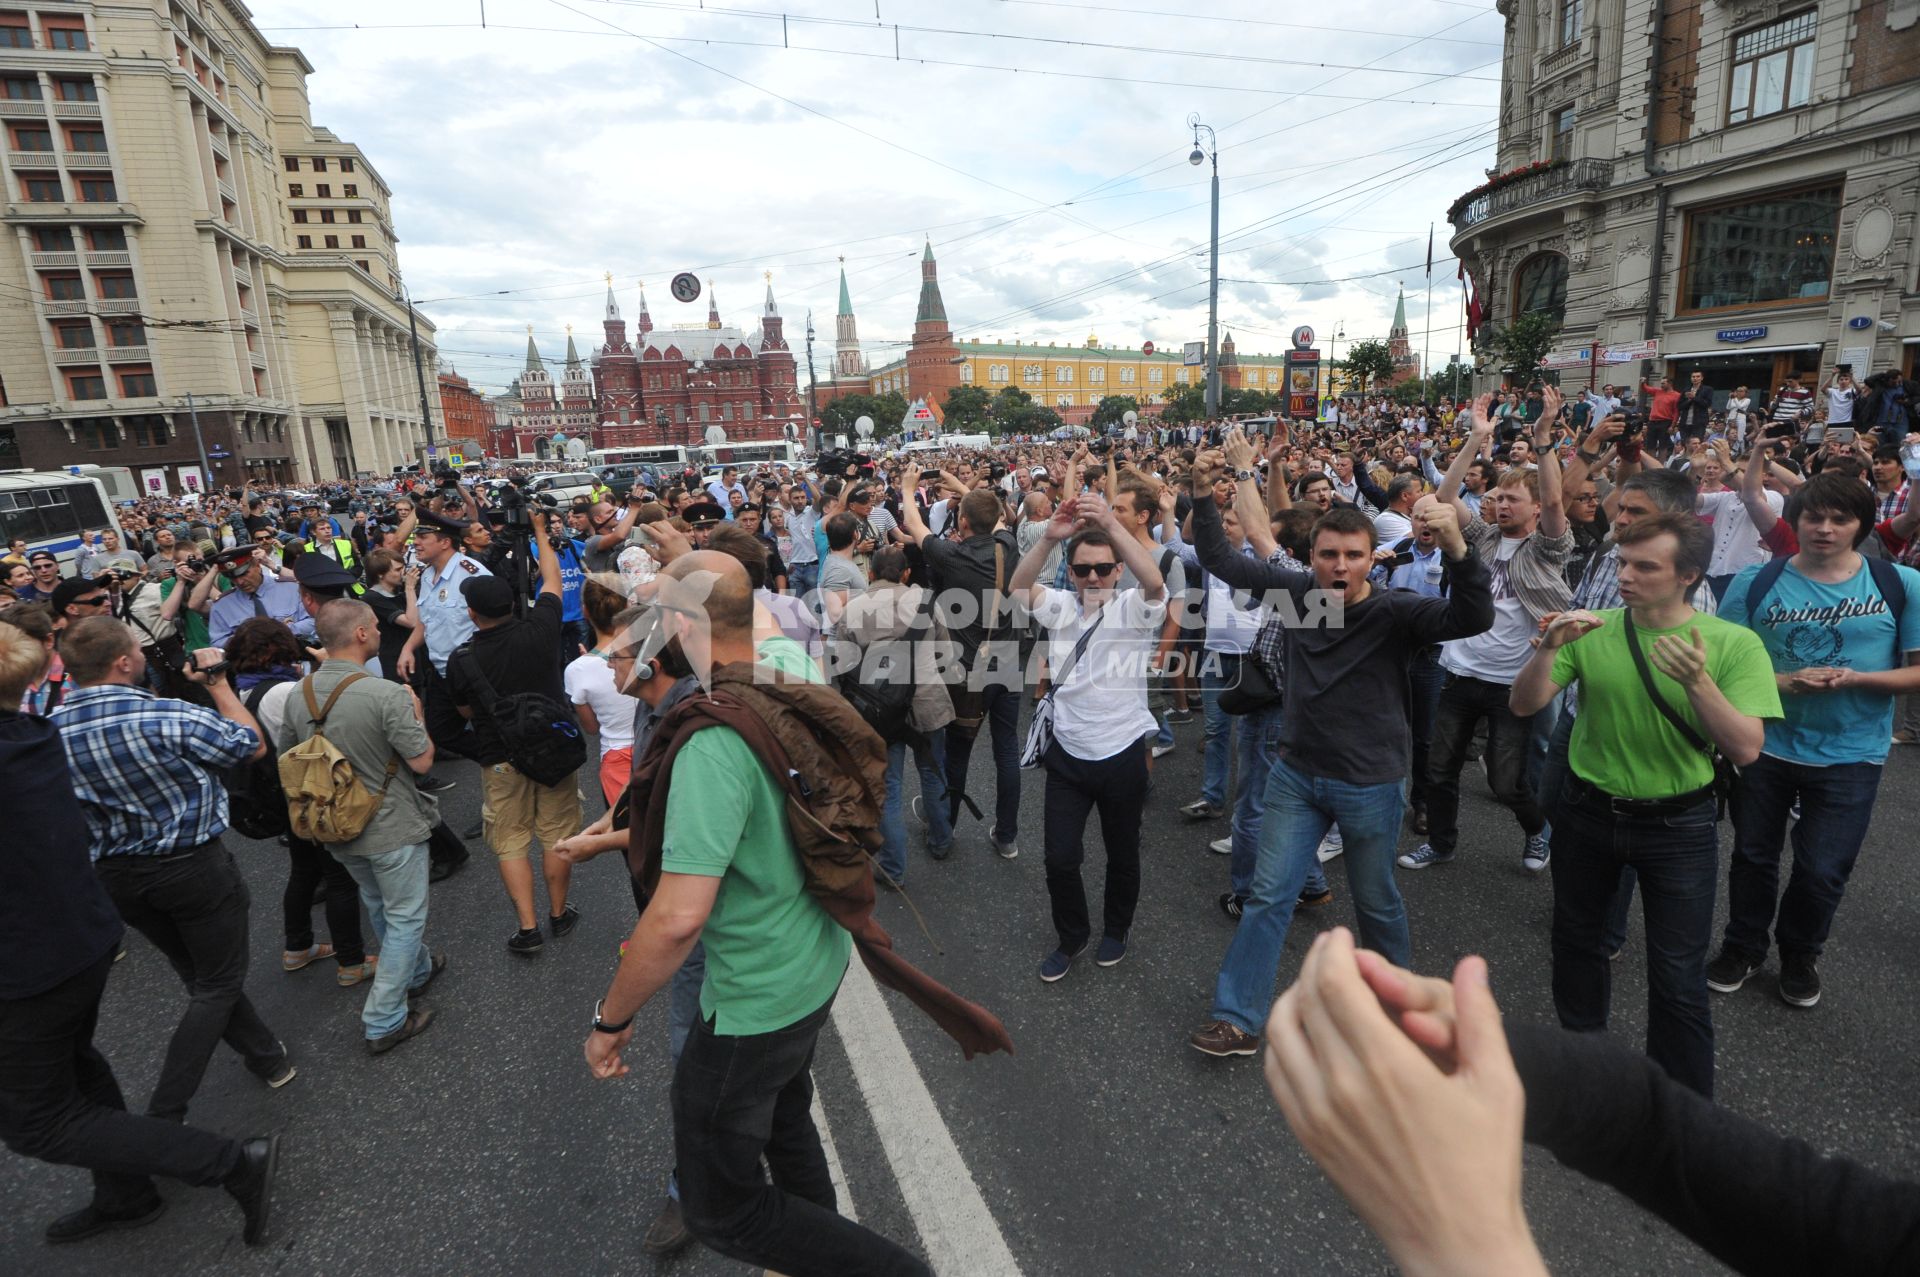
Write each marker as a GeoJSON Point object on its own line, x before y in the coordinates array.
{"type": "Point", "coordinates": [1301, 809]}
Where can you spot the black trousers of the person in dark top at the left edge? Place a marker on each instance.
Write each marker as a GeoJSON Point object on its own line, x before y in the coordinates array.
{"type": "Point", "coordinates": [59, 1101]}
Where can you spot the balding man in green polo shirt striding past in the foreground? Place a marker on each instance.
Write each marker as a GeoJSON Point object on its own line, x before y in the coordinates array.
{"type": "Point", "coordinates": [732, 882]}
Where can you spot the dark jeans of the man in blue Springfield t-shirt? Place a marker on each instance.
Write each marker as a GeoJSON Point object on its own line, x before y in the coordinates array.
{"type": "Point", "coordinates": [1836, 807]}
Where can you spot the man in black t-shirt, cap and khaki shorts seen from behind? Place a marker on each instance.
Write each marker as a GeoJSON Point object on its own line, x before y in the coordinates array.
{"type": "Point", "coordinates": [512, 656]}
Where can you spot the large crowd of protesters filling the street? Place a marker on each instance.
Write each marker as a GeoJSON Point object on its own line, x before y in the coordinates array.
{"type": "Point", "coordinates": [1639, 612]}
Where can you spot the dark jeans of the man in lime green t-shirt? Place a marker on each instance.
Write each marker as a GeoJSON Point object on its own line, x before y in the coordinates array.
{"type": "Point", "coordinates": [1677, 859]}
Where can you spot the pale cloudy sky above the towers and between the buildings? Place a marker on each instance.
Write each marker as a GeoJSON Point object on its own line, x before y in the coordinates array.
{"type": "Point", "coordinates": [1040, 143]}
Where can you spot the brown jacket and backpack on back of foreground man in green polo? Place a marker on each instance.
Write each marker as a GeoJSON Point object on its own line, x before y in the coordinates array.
{"type": "Point", "coordinates": [834, 771]}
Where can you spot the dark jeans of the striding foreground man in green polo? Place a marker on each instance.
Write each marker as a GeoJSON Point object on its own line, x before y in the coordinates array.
{"type": "Point", "coordinates": [740, 1099]}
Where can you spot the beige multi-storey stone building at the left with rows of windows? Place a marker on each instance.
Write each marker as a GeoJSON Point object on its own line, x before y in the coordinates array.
{"type": "Point", "coordinates": [155, 276]}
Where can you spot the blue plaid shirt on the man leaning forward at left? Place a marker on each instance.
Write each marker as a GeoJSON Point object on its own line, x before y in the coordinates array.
{"type": "Point", "coordinates": [143, 769]}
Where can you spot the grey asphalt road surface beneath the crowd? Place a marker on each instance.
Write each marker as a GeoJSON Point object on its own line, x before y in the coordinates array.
{"type": "Point", "coordinates": [1105, 1145]}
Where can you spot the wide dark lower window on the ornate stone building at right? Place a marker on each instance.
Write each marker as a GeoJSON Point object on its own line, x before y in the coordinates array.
{"type": "Point", "coordinates": [1771, 251]}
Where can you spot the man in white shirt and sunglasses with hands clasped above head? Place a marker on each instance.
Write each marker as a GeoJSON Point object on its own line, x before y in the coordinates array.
{"type": "Point", "coordinates": [1101, 717]}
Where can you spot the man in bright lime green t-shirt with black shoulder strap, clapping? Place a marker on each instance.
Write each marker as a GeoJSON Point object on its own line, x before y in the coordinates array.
{"type": "Point", "coordinates": [1643, 788]}
